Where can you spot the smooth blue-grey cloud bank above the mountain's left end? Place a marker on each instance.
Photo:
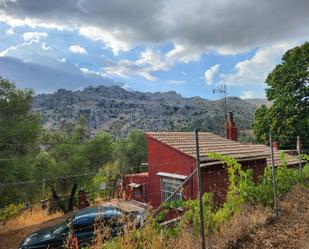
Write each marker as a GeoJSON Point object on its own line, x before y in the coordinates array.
{"type": "Point", "coordinates": [50, 76]}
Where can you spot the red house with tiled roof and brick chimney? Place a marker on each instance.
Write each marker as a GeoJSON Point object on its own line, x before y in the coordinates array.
{"type": "Point", "coordinates": [172, 158]}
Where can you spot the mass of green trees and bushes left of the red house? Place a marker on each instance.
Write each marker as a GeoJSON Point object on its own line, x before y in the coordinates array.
{"type": "Point", "coordinates": [57, 162]}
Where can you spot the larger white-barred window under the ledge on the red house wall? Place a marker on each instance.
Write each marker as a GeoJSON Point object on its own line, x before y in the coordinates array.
{"type": "Point", "coordinates": [168, 186]}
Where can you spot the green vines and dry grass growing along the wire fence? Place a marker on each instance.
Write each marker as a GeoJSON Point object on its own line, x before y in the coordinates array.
{"type": "Point", "coordinates": [243, 200]}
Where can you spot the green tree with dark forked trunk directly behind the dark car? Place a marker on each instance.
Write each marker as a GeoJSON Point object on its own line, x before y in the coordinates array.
{"type": "Point", "coordinates": [66, 158]}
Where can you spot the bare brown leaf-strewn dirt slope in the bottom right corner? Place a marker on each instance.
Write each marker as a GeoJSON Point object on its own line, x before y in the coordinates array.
{"type": "Point", "coordinates": [289, 231]}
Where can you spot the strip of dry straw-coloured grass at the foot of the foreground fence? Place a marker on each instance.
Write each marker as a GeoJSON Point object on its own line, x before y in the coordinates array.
{"type": "Point", "coordinates": [240, 225]}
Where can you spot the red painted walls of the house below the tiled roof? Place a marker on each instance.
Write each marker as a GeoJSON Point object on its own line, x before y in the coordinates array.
{"type": "Point", "coordinates": [163, 158]}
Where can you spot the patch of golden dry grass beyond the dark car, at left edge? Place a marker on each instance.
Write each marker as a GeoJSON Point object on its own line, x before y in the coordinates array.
{"type": "Point", "coordinates": [28, 218]}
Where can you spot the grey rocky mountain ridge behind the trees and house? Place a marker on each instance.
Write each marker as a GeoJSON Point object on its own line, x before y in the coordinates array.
{"type": "Point", "coordinates": [117, 110]}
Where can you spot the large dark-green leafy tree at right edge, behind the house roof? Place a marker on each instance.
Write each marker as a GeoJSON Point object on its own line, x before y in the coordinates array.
{"type": "Point", "coordinates": [288, 89]}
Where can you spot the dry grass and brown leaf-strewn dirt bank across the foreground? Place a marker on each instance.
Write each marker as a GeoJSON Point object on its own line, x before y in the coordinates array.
{"type": "Point", "coordinates": [253, 227]}
